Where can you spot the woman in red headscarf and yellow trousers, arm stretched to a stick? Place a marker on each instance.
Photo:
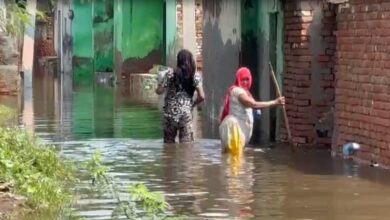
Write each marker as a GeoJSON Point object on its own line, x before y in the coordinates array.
{"type": "Point", "coordinates": [236, 123]}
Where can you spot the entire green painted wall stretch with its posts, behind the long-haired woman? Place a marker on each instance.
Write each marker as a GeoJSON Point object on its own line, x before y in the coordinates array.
{"type": "Point", "coordinates": [124, 36]}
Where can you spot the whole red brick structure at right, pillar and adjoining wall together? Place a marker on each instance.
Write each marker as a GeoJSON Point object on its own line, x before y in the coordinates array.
{"type": "Point", "coordinates": [337, 74]}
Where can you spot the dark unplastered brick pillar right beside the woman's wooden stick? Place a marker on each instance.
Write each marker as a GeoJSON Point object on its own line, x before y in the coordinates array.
{"type": "Point", "coordinates": [309, 70]}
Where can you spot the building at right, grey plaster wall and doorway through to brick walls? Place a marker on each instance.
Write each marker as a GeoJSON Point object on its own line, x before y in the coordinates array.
{"type": "Point", "coordinates": [335, 67]}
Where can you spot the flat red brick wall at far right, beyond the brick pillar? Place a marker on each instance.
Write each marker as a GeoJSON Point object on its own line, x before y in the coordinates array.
{"type": "Point", "coordinates": [362, 109]}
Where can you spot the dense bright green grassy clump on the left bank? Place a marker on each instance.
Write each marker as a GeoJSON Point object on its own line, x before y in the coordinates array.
{"type": "Point", "coordinates": [34, 170]}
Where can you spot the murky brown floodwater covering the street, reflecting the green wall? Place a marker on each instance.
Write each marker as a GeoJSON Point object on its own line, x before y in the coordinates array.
{"type": "Point", "coordinates": [198, 181]}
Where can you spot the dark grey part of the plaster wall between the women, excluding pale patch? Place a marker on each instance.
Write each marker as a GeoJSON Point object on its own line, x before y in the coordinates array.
{"type": "Point", "coordinates": [220, 62]}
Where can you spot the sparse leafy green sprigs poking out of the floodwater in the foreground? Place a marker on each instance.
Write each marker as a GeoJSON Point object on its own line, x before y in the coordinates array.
{"type": "Point", "coordinates": [141, 203]}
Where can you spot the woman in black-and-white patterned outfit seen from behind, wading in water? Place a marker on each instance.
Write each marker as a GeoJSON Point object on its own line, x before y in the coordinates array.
{"type": "Point", "coordinates": [180, 86]}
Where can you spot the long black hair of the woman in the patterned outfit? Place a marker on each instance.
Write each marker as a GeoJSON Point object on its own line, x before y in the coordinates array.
{"type": "Point", "coordinates": [185, 71]}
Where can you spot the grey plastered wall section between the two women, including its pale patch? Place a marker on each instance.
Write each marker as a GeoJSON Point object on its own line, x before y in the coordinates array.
{"type": "Point", "coordinates": [221, 50]}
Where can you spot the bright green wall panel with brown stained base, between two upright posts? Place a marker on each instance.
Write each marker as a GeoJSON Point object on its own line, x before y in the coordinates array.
{"type": "Point", "coordinates": [139, 34]}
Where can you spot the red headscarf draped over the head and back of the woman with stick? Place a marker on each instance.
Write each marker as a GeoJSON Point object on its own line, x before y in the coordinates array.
{"type": "Point", "coordinates": [241, 74]}
